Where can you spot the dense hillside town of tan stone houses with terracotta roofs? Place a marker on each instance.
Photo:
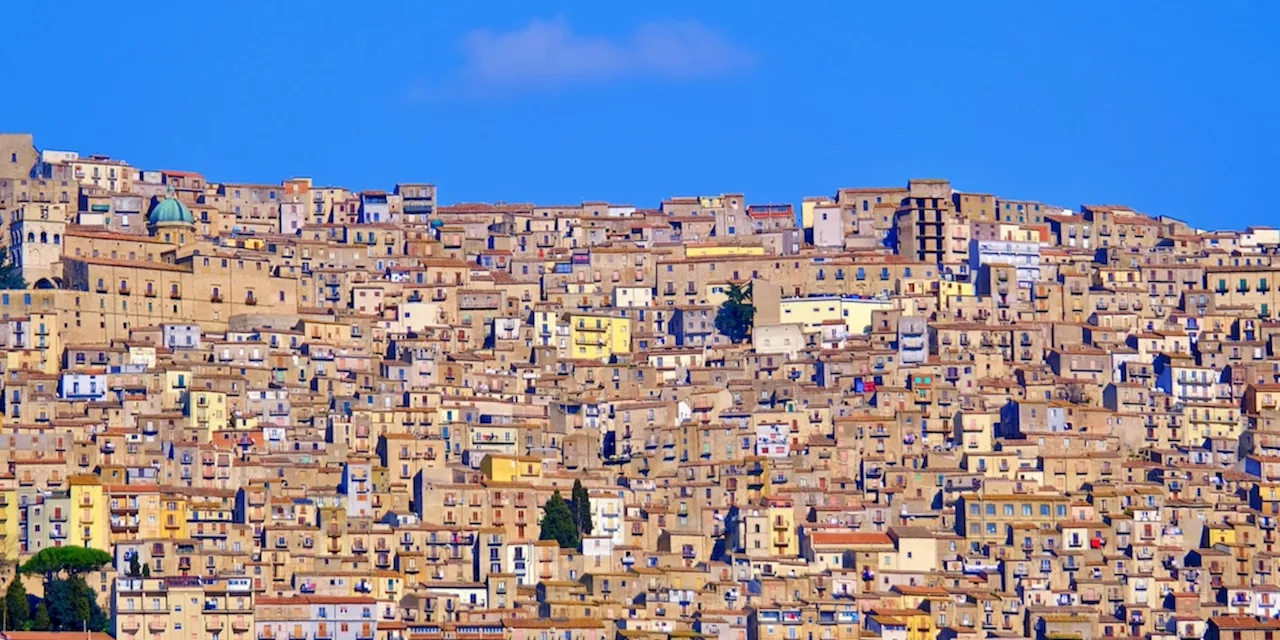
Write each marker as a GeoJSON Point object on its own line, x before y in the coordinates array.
{"type": "Point", "coordinates": [291, 412]}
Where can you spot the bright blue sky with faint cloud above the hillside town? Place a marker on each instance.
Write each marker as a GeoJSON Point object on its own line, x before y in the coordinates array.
{"type": "Point", "coordinates": [1167, 107]}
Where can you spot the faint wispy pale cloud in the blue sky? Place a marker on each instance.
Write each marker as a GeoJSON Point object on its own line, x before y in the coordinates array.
{"type": "Point", "coordinates": [548, 53]}
